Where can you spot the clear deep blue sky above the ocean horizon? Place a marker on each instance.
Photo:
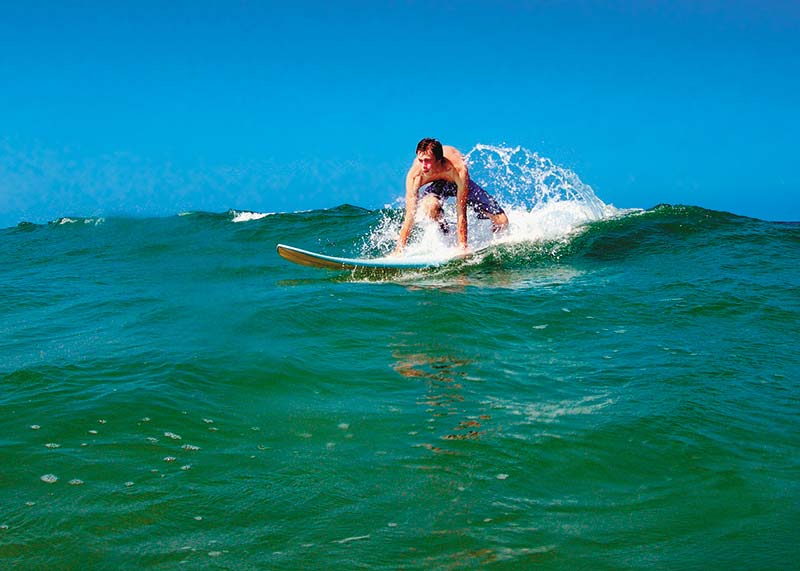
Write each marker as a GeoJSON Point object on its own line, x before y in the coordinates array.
{"type": "Point", "coordinates": [152, 108]}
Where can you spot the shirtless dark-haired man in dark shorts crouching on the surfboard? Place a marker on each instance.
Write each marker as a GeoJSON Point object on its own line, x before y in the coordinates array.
{"type": "Point", "coordinates": [440, 172]}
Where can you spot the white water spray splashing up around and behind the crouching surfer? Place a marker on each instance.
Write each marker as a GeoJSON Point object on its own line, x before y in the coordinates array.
{"type": "Point", "coordinates": [544, 202]}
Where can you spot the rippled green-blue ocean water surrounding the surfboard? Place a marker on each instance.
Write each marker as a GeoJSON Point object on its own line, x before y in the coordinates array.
{"type": "Point", "coordinates": [602, 389]}
